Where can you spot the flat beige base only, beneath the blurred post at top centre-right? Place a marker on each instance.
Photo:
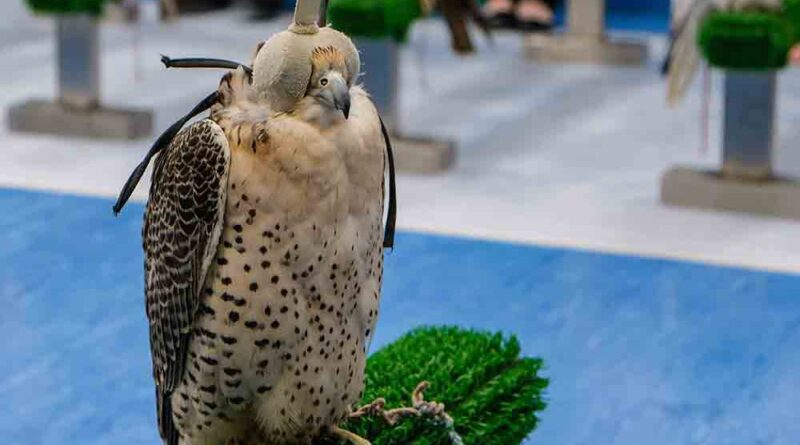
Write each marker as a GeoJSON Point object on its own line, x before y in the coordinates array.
{"type": "Point", "coordinates": [573, 48]}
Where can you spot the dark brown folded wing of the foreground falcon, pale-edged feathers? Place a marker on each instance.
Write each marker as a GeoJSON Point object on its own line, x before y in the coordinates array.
{"type": "Point", "coordinates": [182, 228]}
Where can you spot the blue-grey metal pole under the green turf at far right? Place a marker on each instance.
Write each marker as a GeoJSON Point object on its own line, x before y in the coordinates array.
{"type": "Point", "coordinates": [749, 127]}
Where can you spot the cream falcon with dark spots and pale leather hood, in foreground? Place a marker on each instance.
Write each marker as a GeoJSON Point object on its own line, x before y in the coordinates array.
{"type": "Point", "coordinates": [263, 239]}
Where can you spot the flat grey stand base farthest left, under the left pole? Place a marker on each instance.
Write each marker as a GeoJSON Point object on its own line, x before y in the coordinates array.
{"type": "Point", "coordinates": [38, 116]}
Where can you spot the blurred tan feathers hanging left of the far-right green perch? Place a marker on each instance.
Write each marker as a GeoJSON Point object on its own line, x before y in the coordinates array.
{"type": "Point", "coordinates": [685, 55]}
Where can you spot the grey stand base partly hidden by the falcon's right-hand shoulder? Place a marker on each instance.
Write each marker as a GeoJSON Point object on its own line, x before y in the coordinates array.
{"type": "Point", "coordinates": [417, 155]}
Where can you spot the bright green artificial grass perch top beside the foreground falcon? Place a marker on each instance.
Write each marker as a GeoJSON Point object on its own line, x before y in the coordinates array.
{"type": "Point", "coordinates": [492, 393]}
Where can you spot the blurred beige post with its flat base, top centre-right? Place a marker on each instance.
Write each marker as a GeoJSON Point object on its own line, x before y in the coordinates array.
{"type": "Point", "coordinates": [585, 39]}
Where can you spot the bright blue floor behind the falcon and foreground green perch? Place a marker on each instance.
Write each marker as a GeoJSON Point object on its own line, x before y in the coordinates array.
{"type": "Point", "coordinates": [639, 351]}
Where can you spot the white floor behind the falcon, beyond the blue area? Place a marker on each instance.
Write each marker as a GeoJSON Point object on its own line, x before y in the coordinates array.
{"type": "Point", "coordinates": [557, 155]}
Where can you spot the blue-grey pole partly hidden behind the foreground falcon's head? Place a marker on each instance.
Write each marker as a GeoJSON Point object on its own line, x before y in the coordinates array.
{"type": "Point", "coordinates": [380, 65]}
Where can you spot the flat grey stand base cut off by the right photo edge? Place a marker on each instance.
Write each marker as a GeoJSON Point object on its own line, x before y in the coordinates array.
{"type": "Point", "coordinates": [710, 190]}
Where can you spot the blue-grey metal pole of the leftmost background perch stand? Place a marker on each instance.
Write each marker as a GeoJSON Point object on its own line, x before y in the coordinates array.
{"type": "Point", "coordinates": [78, 60]}
